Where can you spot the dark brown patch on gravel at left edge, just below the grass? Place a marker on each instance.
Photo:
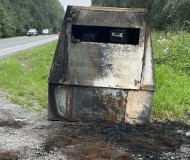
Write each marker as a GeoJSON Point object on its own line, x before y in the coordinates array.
{"type": "Point", "coordinates": [12, 124]}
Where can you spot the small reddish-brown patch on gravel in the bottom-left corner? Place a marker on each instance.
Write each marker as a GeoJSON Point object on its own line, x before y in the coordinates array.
{"type": "Point", "coordinates": [9, 155]}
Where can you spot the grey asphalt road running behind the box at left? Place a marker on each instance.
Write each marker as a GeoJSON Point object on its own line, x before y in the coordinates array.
{"type": "Point", "coordinates": [11, 46]}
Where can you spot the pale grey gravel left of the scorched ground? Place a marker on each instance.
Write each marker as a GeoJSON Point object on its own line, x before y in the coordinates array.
{"type": "Point", "coordinates": [22, 132]}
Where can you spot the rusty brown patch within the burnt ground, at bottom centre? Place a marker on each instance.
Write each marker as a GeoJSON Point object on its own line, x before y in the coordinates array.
{"type": "Point", "coordinates": [97, 150]}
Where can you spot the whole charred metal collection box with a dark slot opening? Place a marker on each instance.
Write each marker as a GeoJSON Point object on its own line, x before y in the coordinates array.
{"type": "Point", "coordinates": [103, 67]}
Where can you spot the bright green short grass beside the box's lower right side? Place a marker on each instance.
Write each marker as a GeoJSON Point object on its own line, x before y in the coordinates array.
{"type": "Point", "coordinates": [172, 97]}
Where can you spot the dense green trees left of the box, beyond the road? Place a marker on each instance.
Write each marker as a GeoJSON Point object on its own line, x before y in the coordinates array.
{"type": "Point", "coordinates": [17, 16]}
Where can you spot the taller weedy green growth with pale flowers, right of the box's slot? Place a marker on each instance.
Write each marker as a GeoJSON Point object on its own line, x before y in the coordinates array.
{"type": "Point", "coordinates": [172, 49]}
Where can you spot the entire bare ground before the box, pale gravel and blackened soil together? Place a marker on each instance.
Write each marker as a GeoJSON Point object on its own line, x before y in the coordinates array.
{"type": "Point", "coordinates": [28, 135]}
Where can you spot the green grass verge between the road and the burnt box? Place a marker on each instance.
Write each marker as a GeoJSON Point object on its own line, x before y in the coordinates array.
{"type": "Point", "coordinates": [25, 76]}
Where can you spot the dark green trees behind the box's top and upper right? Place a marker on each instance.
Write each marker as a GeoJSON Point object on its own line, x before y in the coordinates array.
{"type": "Point", "coordinates": [164, 14]}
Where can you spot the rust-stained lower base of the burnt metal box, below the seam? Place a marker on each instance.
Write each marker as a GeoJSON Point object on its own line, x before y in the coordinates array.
{"type": "Point", "coordinates": [77, 103]}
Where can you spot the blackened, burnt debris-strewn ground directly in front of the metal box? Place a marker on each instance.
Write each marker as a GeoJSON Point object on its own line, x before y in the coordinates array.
{"type": "Point", "coordinates": [105, 140]}
